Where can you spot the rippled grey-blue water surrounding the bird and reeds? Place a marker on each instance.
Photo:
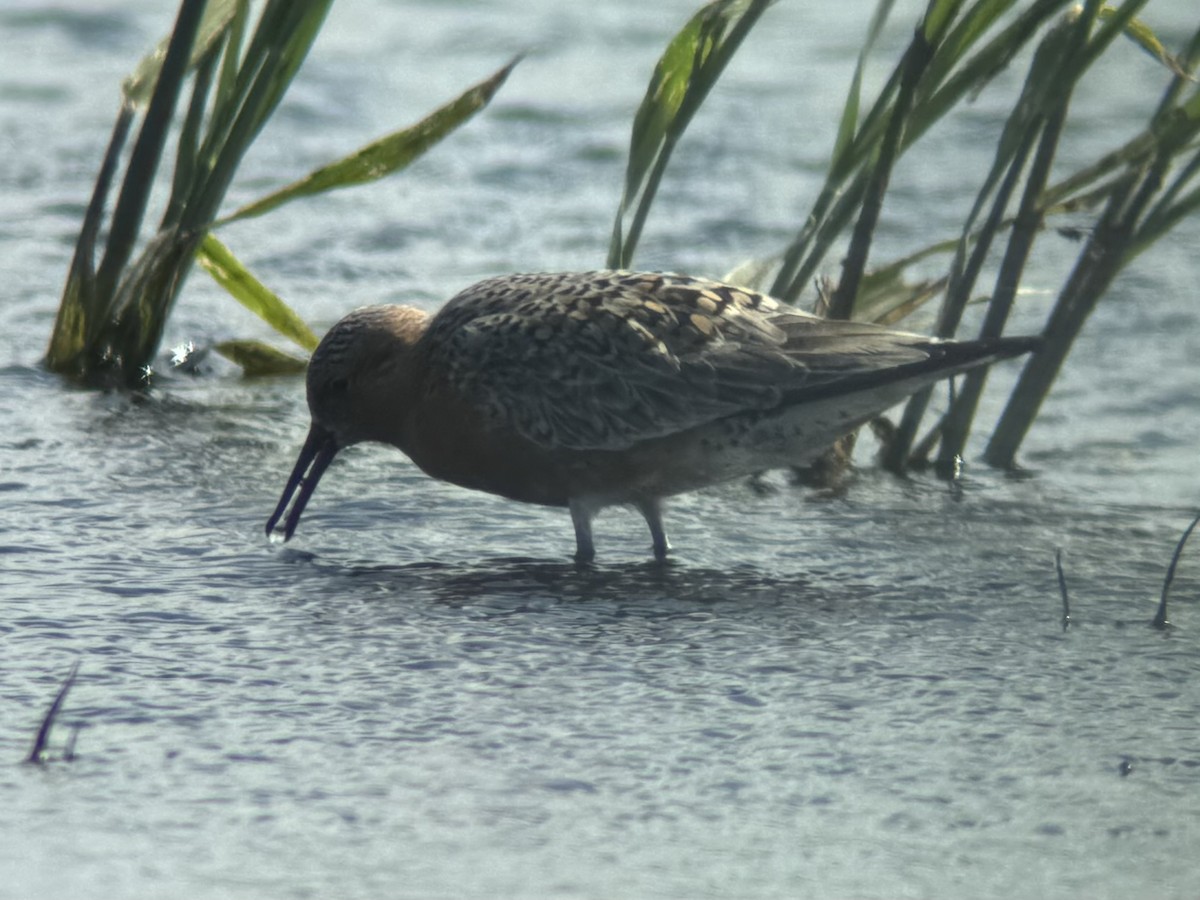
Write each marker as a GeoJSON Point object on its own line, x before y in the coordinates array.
{"type": "Point", "coordinates": [865, 694]}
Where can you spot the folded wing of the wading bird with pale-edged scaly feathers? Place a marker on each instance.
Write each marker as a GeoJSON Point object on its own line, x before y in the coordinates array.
{"type": "Point", "coordinates": [605, 361]}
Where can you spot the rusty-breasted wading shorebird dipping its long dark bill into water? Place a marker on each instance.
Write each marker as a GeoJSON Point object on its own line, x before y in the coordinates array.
{"type": "Point", "coordinates": [596, 389]}
